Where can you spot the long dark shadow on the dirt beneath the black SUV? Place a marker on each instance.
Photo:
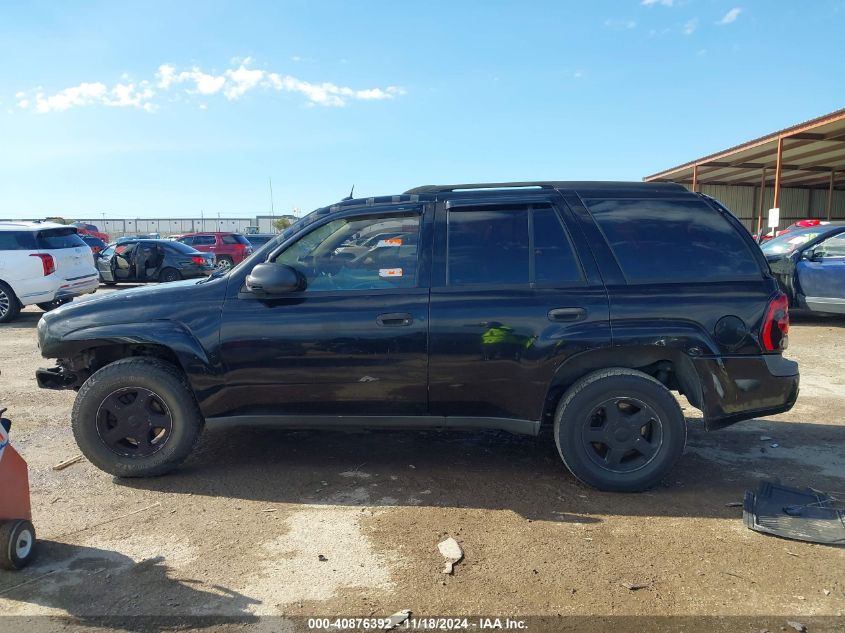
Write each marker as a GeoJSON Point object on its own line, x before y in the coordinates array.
{"type": "Point", "coordinates": [492, 470]}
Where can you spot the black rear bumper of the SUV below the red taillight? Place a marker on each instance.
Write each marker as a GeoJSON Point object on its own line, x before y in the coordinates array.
{"type": "Point", "coordinates": [745, 387]}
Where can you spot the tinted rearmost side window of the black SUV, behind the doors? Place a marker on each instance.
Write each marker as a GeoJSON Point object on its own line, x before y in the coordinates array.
{"type": "Point", "coordinates": [672, 241]}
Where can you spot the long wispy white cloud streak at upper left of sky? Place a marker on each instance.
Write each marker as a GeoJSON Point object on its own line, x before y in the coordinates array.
{"type": "Point", "coordinates": [232, 83]}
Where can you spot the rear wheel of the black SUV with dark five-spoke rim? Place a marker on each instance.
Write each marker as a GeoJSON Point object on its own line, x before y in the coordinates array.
{"type": "Point", "coordinates": [619, 430]}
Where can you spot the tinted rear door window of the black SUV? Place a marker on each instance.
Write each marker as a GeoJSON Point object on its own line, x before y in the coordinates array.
{"type": "Point", "coordinates": [509, 245]}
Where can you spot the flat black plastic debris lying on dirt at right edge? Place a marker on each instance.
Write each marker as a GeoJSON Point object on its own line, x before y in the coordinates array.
{"type": "Point", "coordinates": [802, 515]}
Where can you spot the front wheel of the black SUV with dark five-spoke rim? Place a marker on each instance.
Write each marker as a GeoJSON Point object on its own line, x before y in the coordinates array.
{"type": "Point", "coordinates": [136, 417]}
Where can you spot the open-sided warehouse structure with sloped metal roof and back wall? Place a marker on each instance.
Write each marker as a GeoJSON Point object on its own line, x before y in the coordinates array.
{"type": "Point", "coordinates": [800, 170]}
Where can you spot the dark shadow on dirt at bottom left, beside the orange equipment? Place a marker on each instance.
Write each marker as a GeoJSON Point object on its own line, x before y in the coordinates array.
{"type": "Point", "coordinates": [95, 586]}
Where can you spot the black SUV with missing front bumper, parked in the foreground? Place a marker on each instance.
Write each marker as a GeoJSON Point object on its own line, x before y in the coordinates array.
{"type": "Point", "coordinates": [577, 305]}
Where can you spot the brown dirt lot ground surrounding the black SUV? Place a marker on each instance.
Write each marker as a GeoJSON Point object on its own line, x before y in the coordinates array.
{"type": "Point", "coordinates": [238, 531]}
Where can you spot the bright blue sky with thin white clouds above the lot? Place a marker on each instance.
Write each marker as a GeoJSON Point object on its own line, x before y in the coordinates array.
{"type": "Point", "coordinates": [163, 109]}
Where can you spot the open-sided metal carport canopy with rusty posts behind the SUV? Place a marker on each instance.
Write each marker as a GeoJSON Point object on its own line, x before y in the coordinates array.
{"type": "Point", "coordinates": [810, 154]}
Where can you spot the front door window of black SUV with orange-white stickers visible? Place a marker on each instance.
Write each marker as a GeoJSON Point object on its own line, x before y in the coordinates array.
{"type": "Point", "coordinates": [368, 253]}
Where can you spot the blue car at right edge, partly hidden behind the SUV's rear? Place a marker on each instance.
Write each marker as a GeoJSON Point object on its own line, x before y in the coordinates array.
{"type": "Point", "coordinates": [810, 266]}
